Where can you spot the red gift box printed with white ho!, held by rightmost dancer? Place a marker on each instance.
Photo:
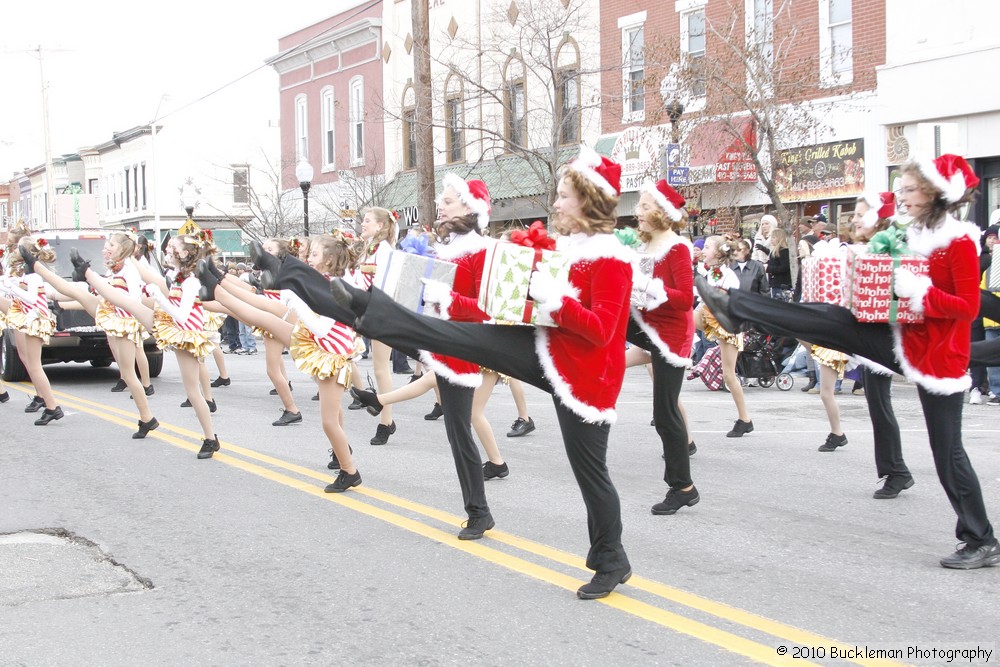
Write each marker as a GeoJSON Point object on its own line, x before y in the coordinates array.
{"type": "Point", "coordinates": [871, 280]}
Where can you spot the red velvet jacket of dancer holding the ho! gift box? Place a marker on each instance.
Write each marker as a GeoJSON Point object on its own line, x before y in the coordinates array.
{"type": "Point", "coordinates": [935, 353]}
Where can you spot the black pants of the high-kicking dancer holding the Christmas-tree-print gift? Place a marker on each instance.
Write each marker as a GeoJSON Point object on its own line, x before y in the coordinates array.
{"type": "Point", "coordinates": [509, 350]}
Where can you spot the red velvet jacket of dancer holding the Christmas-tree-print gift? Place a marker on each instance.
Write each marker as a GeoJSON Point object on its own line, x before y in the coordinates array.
{"type": "Point", "coordinates": [583, 357]}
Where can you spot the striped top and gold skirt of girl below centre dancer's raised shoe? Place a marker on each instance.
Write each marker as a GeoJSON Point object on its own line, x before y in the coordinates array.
{"type": "Point", "coordinates": [323, 348]}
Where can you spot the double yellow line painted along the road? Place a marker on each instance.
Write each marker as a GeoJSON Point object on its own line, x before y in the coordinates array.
{"type": "Point", "coordinates": [788, 635]}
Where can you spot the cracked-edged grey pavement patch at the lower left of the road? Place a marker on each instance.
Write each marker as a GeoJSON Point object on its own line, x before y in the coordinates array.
{"type": "Point", "coordinates": [54, 564]}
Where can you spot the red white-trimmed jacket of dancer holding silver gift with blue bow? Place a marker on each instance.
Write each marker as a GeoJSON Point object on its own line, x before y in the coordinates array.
{"type": "Point", "coordinates": [467, 252]}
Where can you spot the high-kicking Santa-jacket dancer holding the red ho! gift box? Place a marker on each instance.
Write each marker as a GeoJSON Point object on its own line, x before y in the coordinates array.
{"type": "Point", "coordinates": [934, 353]}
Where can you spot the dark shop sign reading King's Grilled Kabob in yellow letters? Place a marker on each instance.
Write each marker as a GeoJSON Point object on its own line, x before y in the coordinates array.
{"type": "Point", "coordinates": [824, 171]}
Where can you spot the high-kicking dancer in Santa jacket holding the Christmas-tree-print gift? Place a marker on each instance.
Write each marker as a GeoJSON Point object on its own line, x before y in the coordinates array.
{"type": "Point", "coordinates": [580, 361]}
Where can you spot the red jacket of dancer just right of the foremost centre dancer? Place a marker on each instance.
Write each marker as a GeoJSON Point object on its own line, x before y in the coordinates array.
{"type": "Point", "coordinates": [670, 326]}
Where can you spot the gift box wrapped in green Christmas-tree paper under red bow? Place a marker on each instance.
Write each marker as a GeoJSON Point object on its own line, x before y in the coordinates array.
{"type": "Point", "coordinates": [507, 270]}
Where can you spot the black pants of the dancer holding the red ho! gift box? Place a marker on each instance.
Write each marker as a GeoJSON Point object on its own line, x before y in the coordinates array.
{"type": "Point", "coordinates": [835, 327]}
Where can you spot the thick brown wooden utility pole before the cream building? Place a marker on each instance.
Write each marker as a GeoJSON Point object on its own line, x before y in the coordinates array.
{"type": "Point", "coordinates": [423, 119]}
